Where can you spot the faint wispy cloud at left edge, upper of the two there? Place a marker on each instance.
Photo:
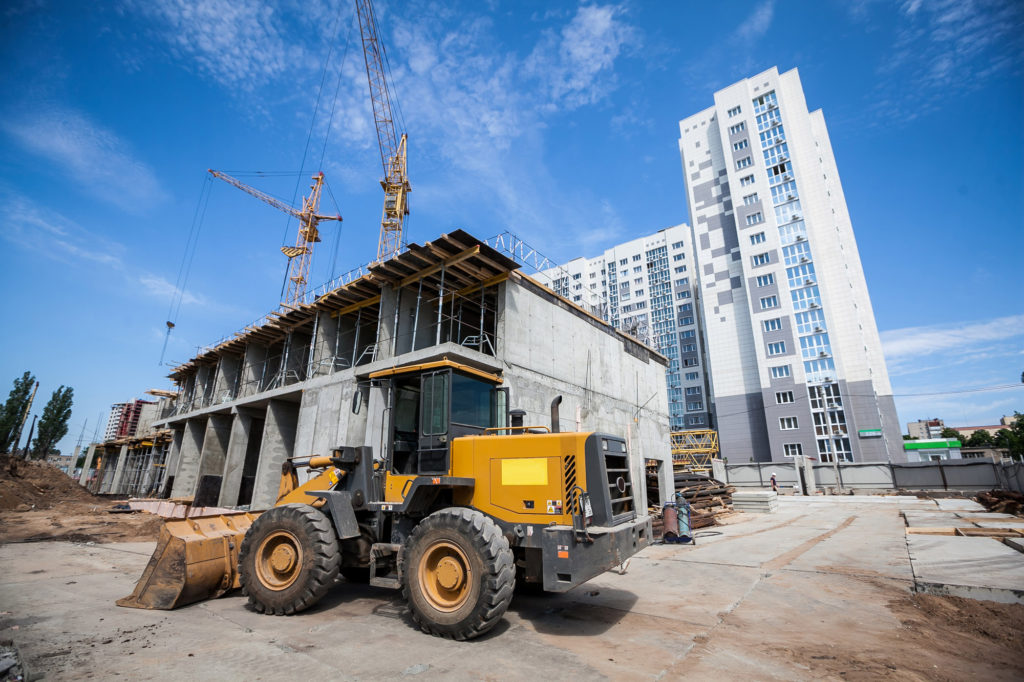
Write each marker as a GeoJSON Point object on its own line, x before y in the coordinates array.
{"type": "Point", "coordinates": [94, 156]}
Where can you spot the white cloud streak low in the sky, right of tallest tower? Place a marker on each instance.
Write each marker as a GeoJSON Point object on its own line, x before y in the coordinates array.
{"type": "Point", "coordinates": [963, 338]}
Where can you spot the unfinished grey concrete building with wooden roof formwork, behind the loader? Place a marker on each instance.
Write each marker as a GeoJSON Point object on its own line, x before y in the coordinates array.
{"type": "Point", "coordinates": [294, 383]}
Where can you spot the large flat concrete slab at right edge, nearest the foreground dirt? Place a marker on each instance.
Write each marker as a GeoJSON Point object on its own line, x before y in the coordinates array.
{"type": "Point", "coordinates": [974, 568]}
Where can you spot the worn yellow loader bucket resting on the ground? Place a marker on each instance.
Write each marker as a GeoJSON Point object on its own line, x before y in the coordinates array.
{"type": "Point", "coordinates": [196, 560]}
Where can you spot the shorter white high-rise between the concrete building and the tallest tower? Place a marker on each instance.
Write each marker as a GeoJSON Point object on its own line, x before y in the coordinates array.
{"type": "Point", "coordinates": [645, 287]}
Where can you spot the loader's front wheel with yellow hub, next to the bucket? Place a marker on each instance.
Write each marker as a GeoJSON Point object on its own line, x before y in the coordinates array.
{"type": "Point", "coordinates": [289, 560]}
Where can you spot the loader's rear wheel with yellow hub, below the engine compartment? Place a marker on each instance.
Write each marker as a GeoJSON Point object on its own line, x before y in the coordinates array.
{"type": "Point", "coordinates": [459, 574]}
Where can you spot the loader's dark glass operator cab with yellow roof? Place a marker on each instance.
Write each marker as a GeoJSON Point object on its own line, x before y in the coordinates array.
{"type": "Point", "coordinates": [434, 404]}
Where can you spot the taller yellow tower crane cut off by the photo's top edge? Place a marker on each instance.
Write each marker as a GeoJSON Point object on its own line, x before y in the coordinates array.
{"type": "Point", "coordinates": [396, 183]}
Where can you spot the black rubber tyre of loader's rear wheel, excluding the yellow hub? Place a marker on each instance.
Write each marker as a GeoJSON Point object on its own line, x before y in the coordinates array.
{"type": "Point", "coordinates": [499, 584]}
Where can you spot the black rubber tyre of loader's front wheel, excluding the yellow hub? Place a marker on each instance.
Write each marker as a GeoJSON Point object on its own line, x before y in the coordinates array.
{"type": "Point", "coordinates": [324, 548]}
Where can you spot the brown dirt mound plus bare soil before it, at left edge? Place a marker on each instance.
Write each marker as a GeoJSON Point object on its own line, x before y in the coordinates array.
{"type": "Point", "coordinates": [38, 502]}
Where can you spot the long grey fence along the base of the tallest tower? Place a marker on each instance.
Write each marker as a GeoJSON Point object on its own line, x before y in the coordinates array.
{"type": "Point", "coordinates": [966, 476]}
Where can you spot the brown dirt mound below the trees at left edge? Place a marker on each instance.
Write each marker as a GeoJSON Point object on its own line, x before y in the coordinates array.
{"type": "Point", "coordinates": [36, 485]}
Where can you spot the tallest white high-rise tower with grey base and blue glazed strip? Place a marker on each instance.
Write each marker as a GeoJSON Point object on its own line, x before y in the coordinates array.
{"type": "Point", "coordinates": [794, 353]}
